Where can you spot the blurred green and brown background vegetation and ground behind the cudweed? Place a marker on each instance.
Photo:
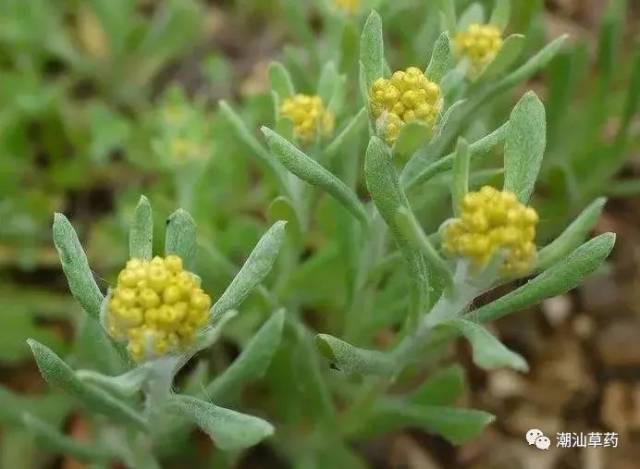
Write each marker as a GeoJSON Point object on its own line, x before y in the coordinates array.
{"type": "Point", "coordinates": [103, 100]}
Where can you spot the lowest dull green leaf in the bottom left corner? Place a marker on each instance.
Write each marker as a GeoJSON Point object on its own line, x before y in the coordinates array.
{"type": "Point", "coordinates": [62, 444]}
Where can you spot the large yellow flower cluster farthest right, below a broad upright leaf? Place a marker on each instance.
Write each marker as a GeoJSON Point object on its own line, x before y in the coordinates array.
{"type": "Point", "coordinates": [491, 221]}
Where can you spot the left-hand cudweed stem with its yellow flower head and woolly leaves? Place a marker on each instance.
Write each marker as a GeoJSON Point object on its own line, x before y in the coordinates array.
{"type": "Point", "coordinates": [158, 310]}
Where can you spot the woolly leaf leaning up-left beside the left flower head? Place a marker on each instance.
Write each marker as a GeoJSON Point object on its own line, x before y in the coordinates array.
{"type": "Point", "coordinates": [76, 267]}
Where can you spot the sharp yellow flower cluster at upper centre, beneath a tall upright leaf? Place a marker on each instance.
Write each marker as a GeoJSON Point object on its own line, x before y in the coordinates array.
{"type": "Point", "coordinates": [405, 97]}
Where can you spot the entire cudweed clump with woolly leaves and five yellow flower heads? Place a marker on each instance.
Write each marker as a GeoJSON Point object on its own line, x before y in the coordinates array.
{"type": "Point", "coordinates": [337, 383]}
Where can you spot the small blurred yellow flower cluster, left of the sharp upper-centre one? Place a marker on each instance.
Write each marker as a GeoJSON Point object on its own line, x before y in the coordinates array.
{"type": "Point", "coordinates": [309, 116]}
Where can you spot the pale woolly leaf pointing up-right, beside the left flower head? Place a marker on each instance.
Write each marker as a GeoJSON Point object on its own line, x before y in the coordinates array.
{"type": "Point", "coordinates": [253, 272]}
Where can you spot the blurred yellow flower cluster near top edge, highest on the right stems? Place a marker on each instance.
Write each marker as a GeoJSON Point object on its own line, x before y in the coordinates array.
{"type": "Point", "coordinates": [479, 44]}
